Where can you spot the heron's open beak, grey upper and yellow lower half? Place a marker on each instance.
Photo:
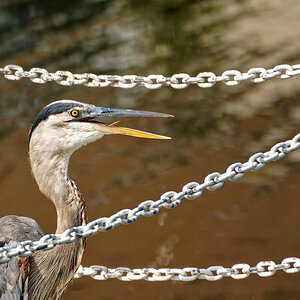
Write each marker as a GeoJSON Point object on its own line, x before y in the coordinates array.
{"type": "Point", "coordinates": [99, 112]}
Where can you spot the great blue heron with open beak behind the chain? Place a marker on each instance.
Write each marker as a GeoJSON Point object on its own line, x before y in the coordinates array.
{"type": "Point", "coordinates": [60, 128]}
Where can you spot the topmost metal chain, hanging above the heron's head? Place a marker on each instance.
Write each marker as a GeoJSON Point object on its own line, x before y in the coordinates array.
{"type": "Point", "coordinates": [177, 81]}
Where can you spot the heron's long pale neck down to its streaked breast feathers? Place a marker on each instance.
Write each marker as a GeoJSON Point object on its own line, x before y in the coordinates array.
{"type": "Point", "coordinates": [51, 271]}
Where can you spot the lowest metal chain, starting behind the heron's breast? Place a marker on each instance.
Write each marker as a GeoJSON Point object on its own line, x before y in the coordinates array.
{"type": "Point", "coordinates": [238, 271]}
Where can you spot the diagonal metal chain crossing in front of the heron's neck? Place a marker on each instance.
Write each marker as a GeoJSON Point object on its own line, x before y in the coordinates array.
{"type": "Point", "coordinates": [147, 208]}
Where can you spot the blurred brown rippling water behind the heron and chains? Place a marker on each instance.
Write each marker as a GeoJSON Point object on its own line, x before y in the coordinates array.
{"type": "Point", "coordinates": [254, 219]}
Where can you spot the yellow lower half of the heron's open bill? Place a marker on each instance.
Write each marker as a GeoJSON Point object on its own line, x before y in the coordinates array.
{"type": "Point", "coordinates": [128, 131]}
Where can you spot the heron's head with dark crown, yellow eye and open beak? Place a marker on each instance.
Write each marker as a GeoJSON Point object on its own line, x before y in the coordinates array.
{"type": "Point", "coordinates": [67, 125]}
